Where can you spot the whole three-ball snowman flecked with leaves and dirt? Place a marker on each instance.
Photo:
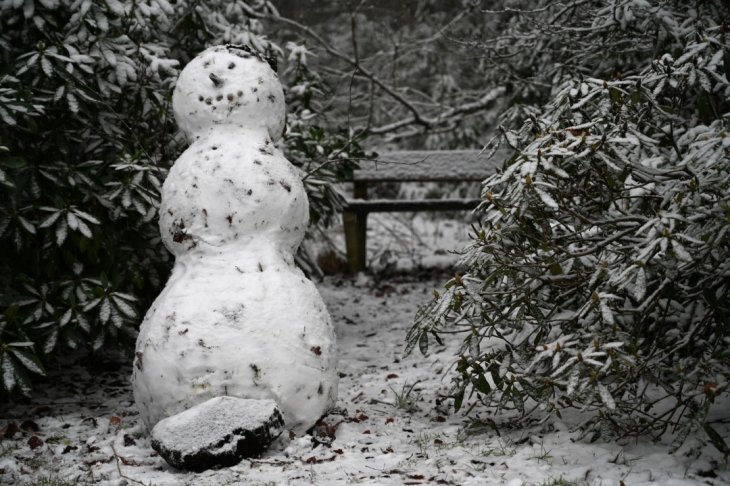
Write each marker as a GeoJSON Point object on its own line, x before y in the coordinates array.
{"type": "Point", "coordinates": [237, 318]}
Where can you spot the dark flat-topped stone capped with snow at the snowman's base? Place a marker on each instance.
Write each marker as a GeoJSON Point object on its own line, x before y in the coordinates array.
{"type": "Point", "coordinates": [217, 433]}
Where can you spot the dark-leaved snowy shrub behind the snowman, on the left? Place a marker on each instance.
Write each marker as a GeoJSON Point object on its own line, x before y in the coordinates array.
{"type": "Point", "coordinates": [86, 137]}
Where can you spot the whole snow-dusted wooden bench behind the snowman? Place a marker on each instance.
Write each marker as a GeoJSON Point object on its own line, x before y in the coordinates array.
{"type": "Point", "coordinates": [408, 166]}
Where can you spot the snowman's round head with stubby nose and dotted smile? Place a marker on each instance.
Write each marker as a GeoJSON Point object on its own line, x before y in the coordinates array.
{"type": "Point", "coordinates": [231, 86]}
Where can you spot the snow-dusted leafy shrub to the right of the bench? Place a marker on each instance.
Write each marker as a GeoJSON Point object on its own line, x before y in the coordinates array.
{"type": "Point", "coordinates": [599, 278]}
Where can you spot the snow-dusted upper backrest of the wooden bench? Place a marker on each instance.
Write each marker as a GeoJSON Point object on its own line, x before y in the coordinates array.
{"type": "Point", "coordinates": [425, 165]}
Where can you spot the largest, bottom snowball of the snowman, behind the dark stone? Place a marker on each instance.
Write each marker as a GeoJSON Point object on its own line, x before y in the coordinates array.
{"type": "Point", "coordinates": [215, 331]}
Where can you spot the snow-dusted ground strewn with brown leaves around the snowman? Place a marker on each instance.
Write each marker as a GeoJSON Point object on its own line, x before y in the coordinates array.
{"type": "Point", "coordinates": [393, 426]}
